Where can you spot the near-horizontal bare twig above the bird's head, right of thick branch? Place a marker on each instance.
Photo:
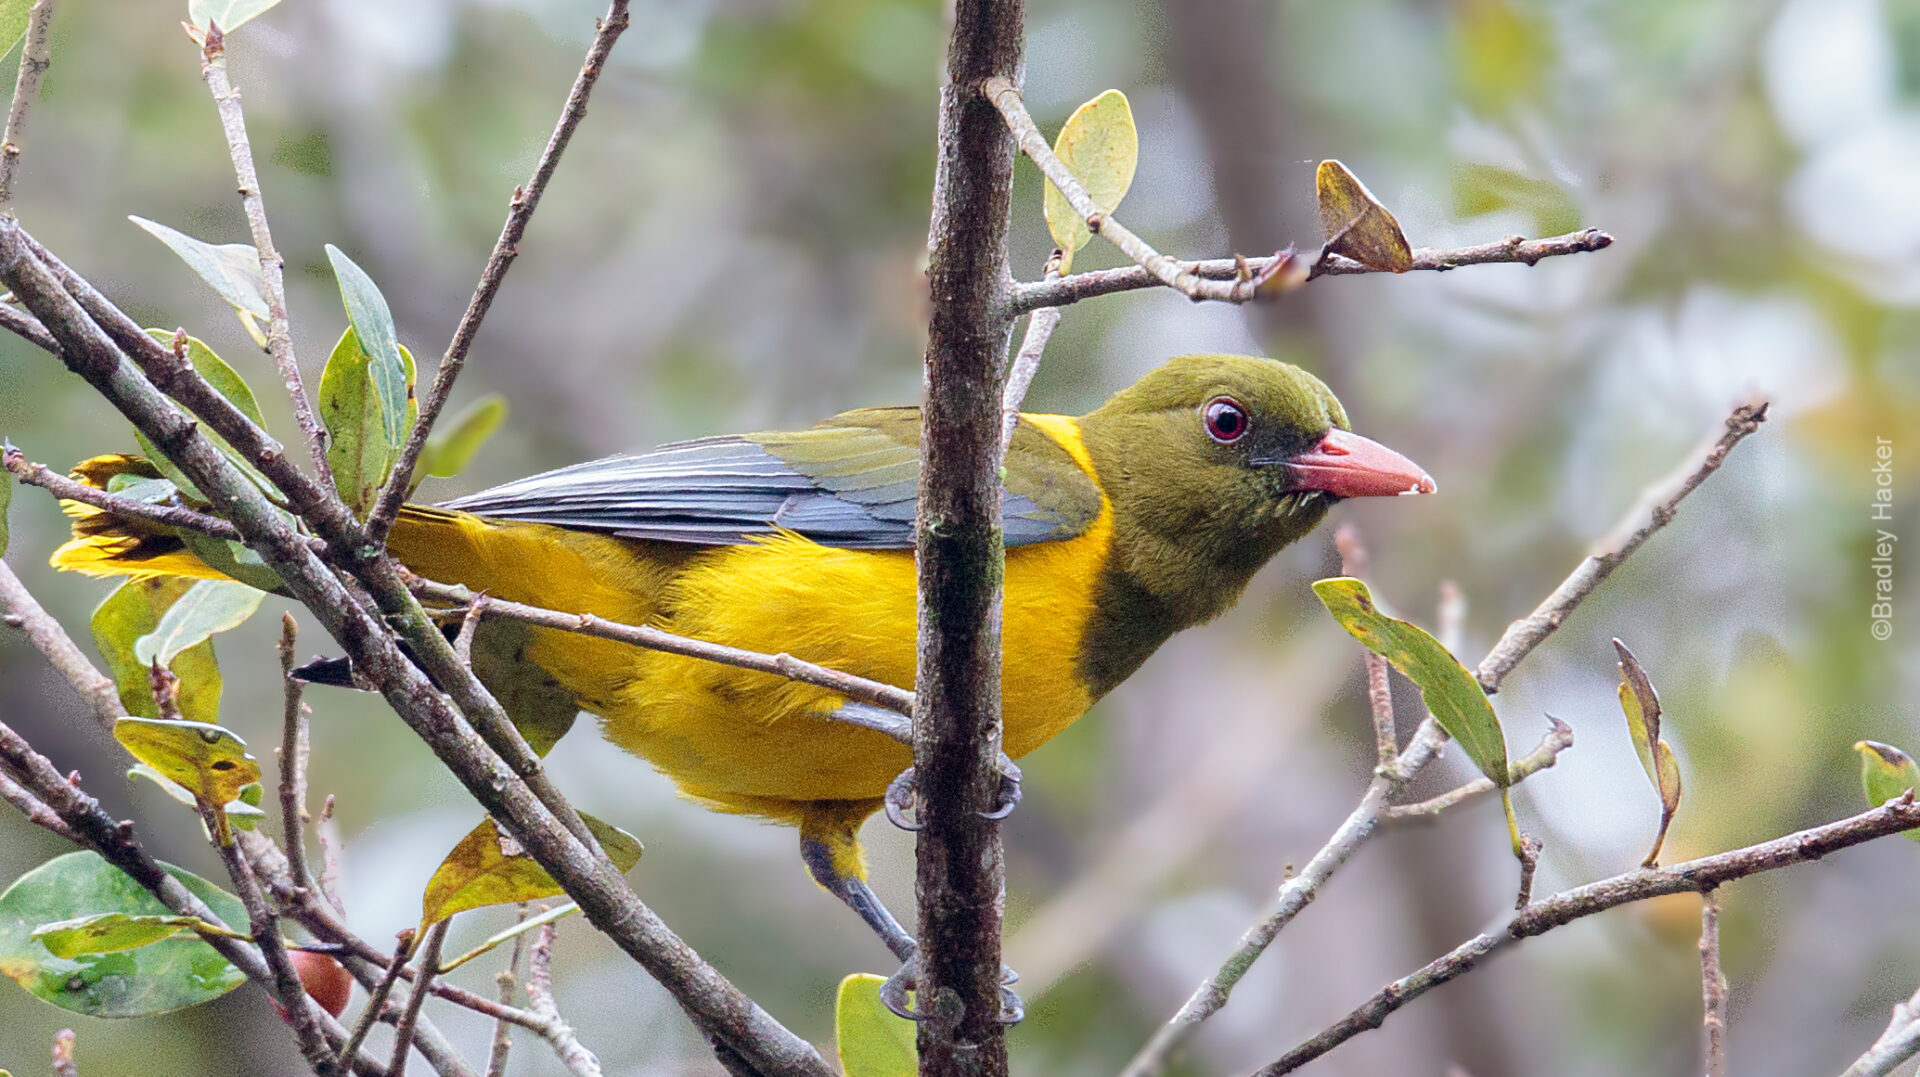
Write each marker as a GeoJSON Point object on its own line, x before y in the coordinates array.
{"type": "Point", "coordinates": [1132, 277]}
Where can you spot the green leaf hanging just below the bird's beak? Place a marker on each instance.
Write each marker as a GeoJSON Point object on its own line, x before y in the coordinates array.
{"type": "Point", "coordinates": [1451, 692]}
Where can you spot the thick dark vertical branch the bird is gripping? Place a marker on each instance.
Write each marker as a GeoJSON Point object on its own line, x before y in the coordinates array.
{"type": "Point", "coordinates": [957, 717]}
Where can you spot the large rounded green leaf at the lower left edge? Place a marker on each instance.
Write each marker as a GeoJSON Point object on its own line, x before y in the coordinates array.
{"type": "Point", "coordinates": [135, 984]}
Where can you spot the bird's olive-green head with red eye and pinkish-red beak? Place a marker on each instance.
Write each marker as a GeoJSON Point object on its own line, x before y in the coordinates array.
{"type": "Point", "coordinates": [1218, 462]}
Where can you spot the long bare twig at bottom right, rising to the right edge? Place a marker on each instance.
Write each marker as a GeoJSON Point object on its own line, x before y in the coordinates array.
{"type": "Point", "coordinates": [1566, 907]}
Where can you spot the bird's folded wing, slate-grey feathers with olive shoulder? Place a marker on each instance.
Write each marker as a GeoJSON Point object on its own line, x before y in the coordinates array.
{"type": "Point", "coordinates": [850, 483]}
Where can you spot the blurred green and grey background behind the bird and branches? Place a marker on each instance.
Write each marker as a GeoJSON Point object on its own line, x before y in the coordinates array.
{"type": "Point", "coordinates": [736, 243]}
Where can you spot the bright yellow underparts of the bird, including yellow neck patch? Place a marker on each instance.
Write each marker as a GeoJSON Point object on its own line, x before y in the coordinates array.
{"type": "Point", "coordinates": [757, 742]}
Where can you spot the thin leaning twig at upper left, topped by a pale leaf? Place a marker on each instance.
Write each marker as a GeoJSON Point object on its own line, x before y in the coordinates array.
{"type": "Point", "coordinates": [272, 268]}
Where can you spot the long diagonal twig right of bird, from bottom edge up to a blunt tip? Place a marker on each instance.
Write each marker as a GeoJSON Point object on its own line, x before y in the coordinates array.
{"type": "Point", "coordinates": [1426, 744]}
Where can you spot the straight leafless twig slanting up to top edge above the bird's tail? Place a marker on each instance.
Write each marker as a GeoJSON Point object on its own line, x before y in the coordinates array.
{"type": "Point", "coordinates": [506, 249]}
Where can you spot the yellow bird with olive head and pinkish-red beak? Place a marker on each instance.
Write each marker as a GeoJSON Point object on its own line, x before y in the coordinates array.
{"type": "Point", "coordinates": [1122, 527]}
